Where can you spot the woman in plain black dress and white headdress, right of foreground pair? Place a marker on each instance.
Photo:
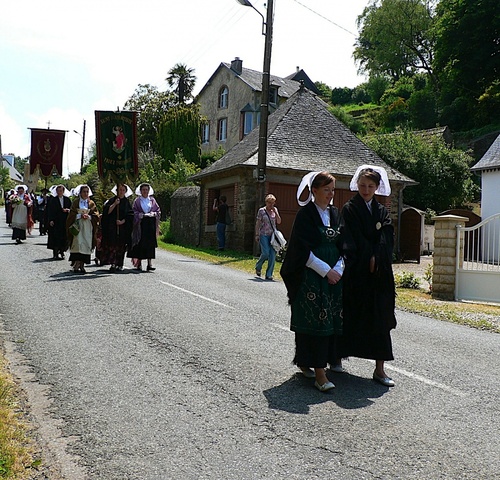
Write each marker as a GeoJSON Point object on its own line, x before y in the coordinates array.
{"type": "Point", "coordinates": [369, 291]}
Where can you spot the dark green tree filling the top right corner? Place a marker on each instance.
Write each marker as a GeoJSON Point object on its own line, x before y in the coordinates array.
{"type": "Point", "coordinates": [467, 49]}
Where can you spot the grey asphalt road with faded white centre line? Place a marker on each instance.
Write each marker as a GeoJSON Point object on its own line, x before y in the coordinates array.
{"type": "Point", "coordinates": [186, 373]}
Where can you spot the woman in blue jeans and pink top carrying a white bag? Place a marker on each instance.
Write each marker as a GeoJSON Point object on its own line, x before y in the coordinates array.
{"type": "Point", "coordinates": [267, 219]}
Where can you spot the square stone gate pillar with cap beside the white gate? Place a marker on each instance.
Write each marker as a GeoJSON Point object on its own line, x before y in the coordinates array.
{"type": "Point", "coordinates": [444, 268]}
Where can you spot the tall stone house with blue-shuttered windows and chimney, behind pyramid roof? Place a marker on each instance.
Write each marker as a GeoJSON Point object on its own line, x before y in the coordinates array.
{"type": "Point", "coordinates": [230, 102]}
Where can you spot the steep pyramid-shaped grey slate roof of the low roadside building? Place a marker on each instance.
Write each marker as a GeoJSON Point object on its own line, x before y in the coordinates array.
{"type": "Point", "coordinates": [304, 136]}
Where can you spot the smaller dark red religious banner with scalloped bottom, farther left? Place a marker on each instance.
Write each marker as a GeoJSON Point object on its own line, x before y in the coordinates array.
{"type": "Point", "coordinates": [46, 151]}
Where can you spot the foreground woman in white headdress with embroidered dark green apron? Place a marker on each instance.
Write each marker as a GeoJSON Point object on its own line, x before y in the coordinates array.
{"type": "Point", "coordinates": [312, 272]}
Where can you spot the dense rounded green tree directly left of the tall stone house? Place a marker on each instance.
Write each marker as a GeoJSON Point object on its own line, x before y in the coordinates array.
{"type": "Point", "coordinates": [180, 129]}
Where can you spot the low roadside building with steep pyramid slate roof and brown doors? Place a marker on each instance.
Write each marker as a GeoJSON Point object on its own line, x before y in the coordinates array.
{"type": "Point", "coordinates": [303, 136]}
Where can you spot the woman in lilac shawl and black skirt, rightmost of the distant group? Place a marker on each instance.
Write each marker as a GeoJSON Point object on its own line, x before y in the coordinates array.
{"type": "Point", "coordinates": [146, 228]}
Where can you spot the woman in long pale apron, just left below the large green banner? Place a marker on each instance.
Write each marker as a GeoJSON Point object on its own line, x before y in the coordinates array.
{"type": "Point", "coordinates": [81, 228]}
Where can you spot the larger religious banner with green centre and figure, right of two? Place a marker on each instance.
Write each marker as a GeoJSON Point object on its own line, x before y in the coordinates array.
{"type": "Point", "coordinates": [116, 138]}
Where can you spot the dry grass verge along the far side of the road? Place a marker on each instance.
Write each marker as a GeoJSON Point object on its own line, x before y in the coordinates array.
{"type": "Point", "coordinates": [483, 317]}
